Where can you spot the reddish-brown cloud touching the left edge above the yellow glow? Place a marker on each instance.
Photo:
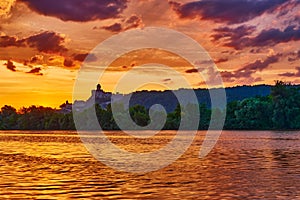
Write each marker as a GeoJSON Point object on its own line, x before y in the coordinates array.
{"type": "Point", "coordinates": [46, 42]}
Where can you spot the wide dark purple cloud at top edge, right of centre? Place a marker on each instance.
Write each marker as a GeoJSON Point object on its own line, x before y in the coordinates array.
{"type": "Point", "coordinates": [230, 12]}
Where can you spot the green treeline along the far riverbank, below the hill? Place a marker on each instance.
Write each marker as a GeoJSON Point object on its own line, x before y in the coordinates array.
{"type": "Point", "coordinates": [278, 111]}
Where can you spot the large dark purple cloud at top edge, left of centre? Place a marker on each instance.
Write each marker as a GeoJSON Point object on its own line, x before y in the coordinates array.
{"type": "Point", "coordinates": [78, 10]}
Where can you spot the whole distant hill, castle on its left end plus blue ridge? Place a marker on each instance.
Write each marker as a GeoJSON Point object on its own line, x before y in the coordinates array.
{"type": "Point", "coordinates": [168, 99]}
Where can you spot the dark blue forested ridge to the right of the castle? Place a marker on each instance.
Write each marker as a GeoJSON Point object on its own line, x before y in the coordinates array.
{"type": "Point", "coordinates": [169, 101]}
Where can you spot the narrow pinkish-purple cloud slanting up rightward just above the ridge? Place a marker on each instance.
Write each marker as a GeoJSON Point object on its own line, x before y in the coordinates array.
{"type": "Point", "coordinates": [248, 70]}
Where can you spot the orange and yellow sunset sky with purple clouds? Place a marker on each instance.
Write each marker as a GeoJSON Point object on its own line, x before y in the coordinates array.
{"type": "Point", "coordinates": [44, 44]}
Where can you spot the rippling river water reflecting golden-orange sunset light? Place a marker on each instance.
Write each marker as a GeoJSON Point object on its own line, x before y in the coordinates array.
{"type": "Point", "coordinates": [243, 165]}
